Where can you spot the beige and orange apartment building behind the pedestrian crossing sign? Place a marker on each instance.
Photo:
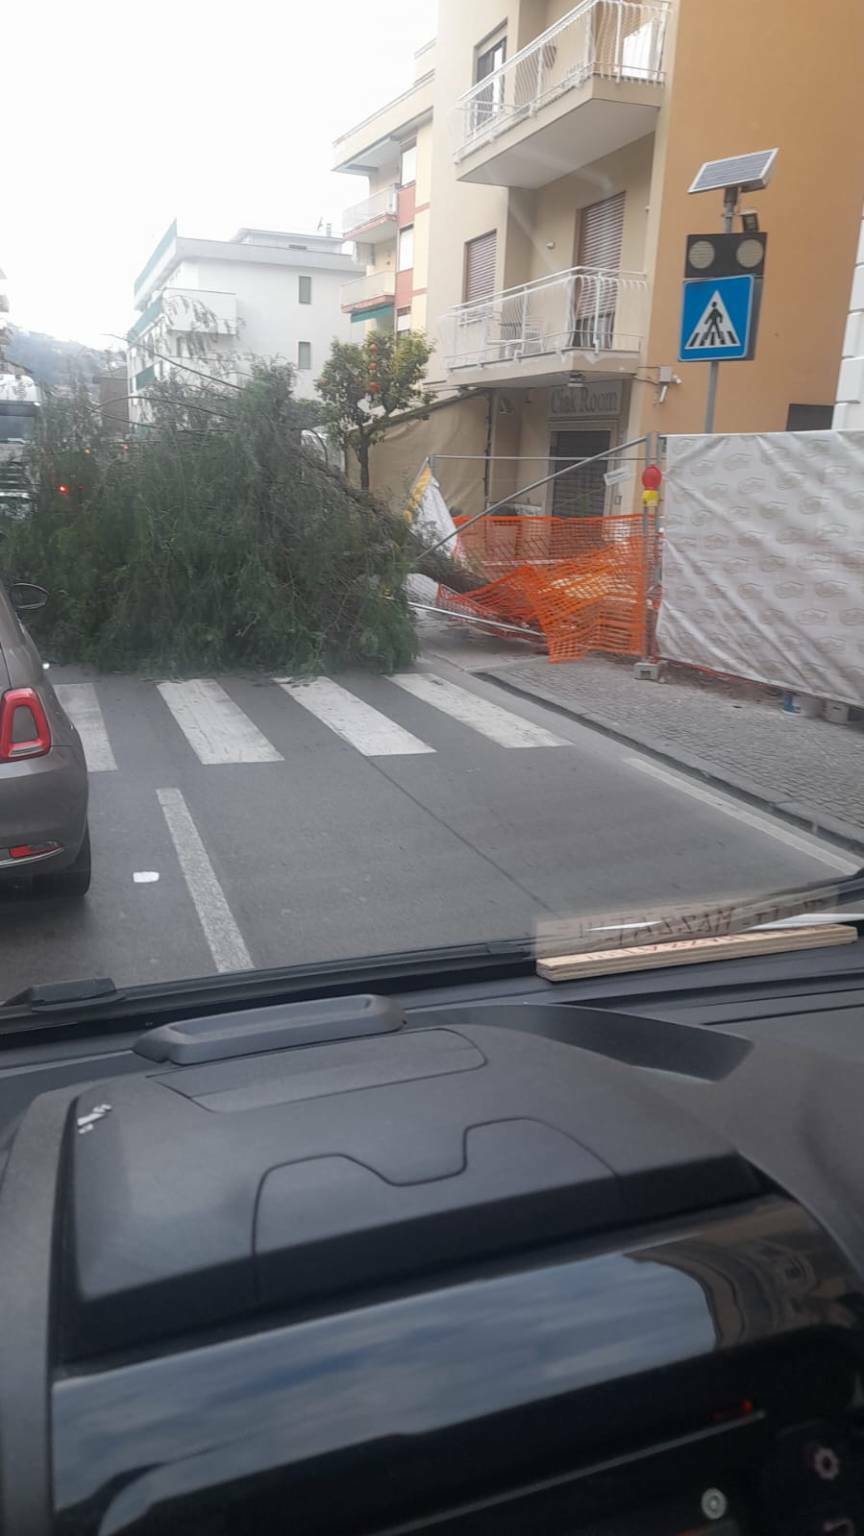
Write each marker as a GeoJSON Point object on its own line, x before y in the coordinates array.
{"type": "Point", "coordinates": [563, 142]}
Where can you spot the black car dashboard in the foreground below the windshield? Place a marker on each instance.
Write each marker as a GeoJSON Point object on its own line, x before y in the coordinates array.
{"type": "Point", "coordinates": [480, 1259]}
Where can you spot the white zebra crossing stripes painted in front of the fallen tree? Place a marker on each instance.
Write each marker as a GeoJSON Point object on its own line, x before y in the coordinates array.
{"type": "Point", "coordinates": [219, 732]}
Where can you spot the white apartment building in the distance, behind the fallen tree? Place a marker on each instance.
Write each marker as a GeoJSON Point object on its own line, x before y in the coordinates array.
{"type": "Point", "coordinates": [218, 303]}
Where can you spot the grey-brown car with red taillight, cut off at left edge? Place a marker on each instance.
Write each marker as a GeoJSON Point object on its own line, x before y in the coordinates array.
{"type": "Point", "coordinates": [44, 776]}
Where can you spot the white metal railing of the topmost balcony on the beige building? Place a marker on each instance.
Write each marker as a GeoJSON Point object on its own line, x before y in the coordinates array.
{"type": "Point", "coordinates": [614, 39]}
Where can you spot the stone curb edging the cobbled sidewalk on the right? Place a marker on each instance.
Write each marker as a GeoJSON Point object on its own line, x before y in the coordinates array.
{"type": "Point", "coordinates": [803, 815]}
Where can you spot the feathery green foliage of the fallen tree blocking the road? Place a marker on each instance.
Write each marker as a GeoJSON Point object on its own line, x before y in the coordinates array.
{"type": "Point", "coordinates": [211, 540]}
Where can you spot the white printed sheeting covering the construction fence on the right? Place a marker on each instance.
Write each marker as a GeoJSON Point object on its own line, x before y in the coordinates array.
{"type": "Point", "coordinates": [763, 561]}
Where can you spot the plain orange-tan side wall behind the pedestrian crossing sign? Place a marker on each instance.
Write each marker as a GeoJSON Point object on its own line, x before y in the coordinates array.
{"type": "Point", "coordinates": [797, 84]}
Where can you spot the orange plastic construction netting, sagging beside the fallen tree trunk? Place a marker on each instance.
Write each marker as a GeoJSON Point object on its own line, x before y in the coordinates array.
{"type": "Point", "coordinates": [577, 581]}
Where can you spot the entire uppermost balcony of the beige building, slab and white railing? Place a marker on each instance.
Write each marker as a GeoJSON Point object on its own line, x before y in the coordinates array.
{"type": "Point", "coordinates": [587, 87]}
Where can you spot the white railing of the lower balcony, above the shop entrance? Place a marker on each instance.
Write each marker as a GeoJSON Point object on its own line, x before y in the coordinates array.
{"type": "Point", "coordinates": [587, 310]}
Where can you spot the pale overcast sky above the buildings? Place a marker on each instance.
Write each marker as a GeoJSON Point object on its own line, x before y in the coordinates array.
{"type": "Point", "coordinates": [121, 118]}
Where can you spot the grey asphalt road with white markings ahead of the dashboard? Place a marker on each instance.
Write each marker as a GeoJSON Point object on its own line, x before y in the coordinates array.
{"type": "Point", "coordinates": [241, 824]}
